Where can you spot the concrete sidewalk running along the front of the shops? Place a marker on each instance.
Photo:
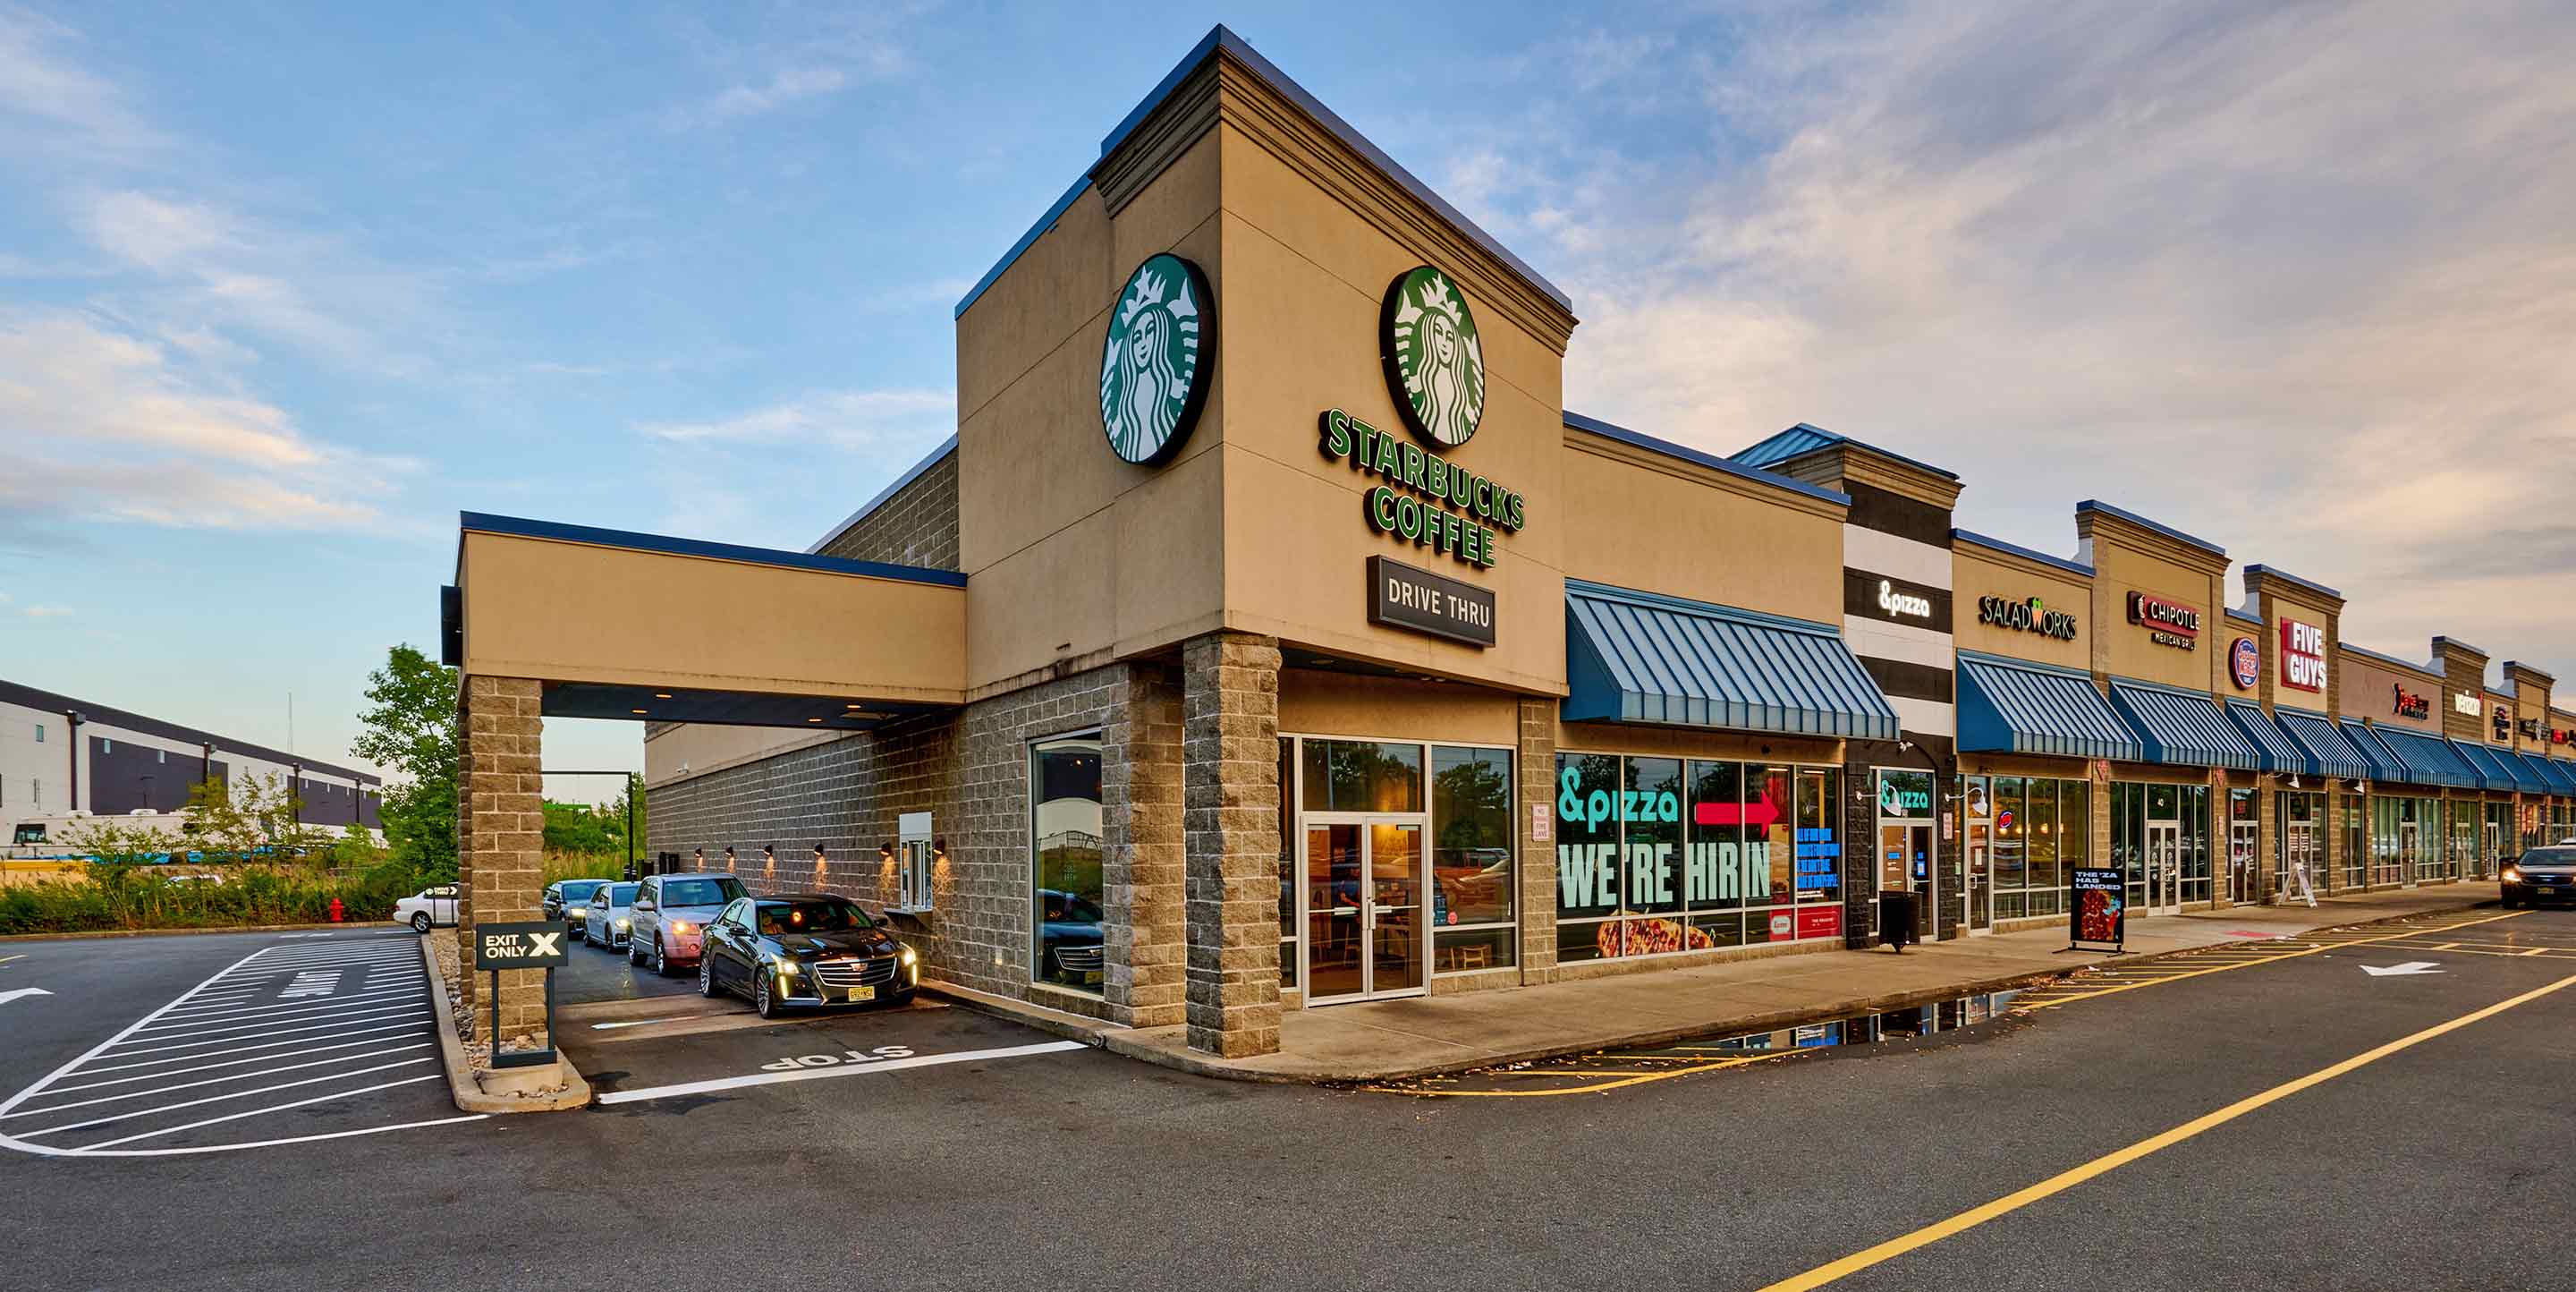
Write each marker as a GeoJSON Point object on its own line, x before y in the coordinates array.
{"type": "Point", "coordinates": [1431, 1035]}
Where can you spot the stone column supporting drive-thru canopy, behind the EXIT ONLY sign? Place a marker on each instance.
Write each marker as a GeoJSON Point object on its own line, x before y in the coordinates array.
{"type": "Point", "coordinates": [501, 837]}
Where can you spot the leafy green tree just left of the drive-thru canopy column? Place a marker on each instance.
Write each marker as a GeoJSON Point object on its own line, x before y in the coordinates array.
{"type": "Point", "coordinates": [411, 731]}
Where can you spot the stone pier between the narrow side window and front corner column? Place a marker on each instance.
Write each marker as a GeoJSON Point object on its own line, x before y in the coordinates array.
{"type": "Point", "coordinates": [1142, 827]}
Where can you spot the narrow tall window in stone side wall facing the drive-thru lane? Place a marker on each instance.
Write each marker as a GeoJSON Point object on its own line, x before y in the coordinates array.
{"type": "Point", "coordinates": [1065, 863]}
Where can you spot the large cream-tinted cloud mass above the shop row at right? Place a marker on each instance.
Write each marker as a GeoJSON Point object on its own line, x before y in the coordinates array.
{"type": "Point", "coordinates": [2286, 277]}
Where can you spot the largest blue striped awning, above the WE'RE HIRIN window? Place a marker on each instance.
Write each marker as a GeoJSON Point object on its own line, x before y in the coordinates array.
{"type": "Point", "coordinates": [1660, 659]}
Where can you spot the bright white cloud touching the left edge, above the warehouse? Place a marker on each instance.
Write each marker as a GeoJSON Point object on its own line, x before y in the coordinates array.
{"type": "Point", "coordinates": [104, 424]}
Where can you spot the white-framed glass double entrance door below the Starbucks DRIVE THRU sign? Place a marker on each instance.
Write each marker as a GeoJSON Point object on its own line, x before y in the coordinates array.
{"type": "Point", "coordinates": [1364, 909]}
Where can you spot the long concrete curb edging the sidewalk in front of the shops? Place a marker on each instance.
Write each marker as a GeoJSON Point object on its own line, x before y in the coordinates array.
{"type": "Point", "coordinates": [1127, 1043]}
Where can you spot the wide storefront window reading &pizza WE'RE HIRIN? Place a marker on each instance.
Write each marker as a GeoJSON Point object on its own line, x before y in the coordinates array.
{"type": "Point", "coordinates": [1665, 857]}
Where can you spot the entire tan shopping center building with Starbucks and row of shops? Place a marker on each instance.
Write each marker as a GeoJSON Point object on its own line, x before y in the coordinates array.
{"type": "Point", "coordinates": [1271, 636]}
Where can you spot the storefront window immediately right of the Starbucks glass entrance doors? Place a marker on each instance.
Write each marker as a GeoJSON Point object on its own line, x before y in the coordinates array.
{"type": "Point", "coordinates": [1472, 860]}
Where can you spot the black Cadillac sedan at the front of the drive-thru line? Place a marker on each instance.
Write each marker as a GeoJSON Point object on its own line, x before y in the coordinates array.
{"type": "Point", "coordinates": [805, 950]}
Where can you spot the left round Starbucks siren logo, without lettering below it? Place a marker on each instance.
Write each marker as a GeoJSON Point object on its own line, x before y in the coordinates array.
{"type": "Point", "coordinates": [1155, 362]}
